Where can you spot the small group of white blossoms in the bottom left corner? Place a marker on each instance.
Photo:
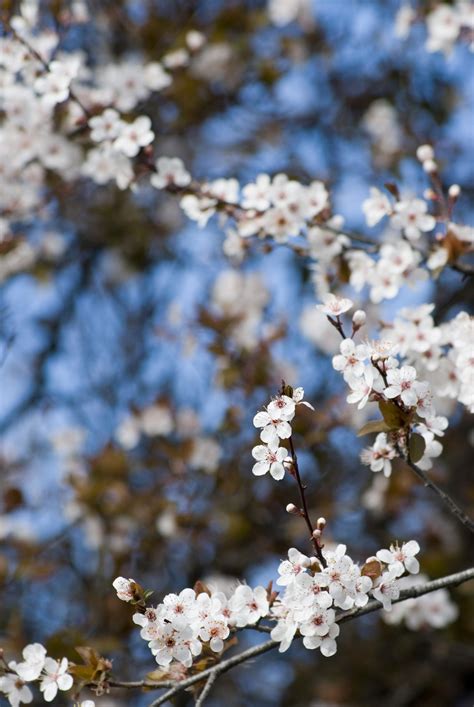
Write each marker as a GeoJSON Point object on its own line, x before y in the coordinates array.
{"type": "Point", "coordinates": [36, 665]}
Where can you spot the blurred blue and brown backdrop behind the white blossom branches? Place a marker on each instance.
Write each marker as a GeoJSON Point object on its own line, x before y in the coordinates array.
{"type": "Point", "coordinates": [140, 308]}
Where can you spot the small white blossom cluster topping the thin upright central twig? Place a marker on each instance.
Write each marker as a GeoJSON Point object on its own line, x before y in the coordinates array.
{"type": "Point", "coordinates": [274, 422]}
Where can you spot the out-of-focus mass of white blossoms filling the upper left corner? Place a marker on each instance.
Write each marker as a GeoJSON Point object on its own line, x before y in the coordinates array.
{"type": "Point", "coordinates": [46, 103]}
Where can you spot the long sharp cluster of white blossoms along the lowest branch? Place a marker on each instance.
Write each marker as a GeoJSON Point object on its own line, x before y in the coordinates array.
{"type": "Point", "coordinates": [179, 627]}
